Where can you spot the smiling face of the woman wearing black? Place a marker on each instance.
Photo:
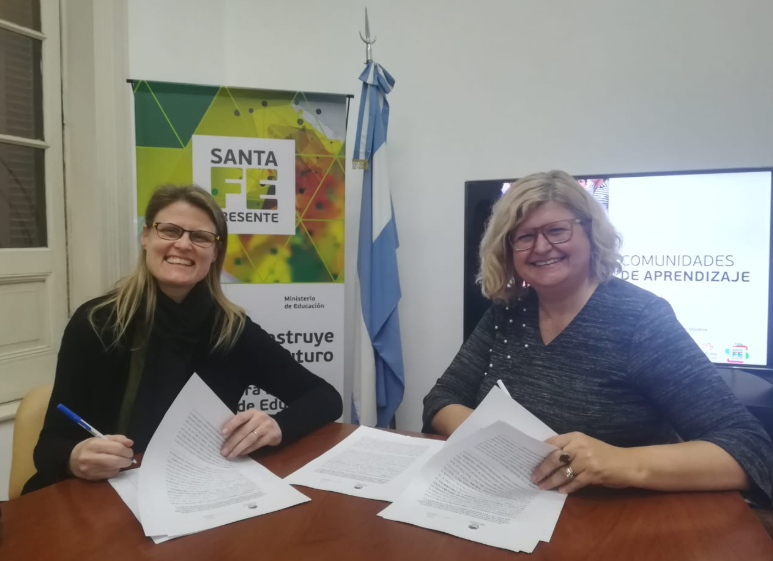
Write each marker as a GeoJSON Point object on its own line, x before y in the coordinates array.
{"type": "Point", "coordinates": [178, 265]}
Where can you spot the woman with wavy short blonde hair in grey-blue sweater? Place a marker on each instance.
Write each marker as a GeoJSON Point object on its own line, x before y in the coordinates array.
{"type": "Point", "coordinates": [602, 362]}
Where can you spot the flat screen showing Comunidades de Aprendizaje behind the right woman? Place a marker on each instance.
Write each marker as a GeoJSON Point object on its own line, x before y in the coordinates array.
{"type": "Point", "coordinates": [699, 239]}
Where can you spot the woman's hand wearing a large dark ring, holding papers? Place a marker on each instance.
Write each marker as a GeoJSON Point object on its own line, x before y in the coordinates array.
{"type": "Point", "coordinates": [592, 462]}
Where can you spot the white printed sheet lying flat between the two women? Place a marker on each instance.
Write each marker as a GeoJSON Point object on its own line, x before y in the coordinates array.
{"type": "Point", "coordinates": [369, 463]}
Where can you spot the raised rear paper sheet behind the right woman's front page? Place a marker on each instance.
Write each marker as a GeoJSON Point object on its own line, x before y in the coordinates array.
{"type": "Point", "coordinates": [497, 406]}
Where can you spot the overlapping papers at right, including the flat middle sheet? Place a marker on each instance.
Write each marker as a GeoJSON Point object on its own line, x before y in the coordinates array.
{"type": "Point", "coordinates": [476, 485]}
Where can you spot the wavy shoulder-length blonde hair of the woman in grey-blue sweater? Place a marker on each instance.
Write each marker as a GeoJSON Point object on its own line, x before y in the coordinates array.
{"type": "Point", "coordinates": [498, 278]}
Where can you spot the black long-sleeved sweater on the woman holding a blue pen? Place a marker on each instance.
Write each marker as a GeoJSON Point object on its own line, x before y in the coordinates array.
{"type": "Point", "coordinates": [91, 380]}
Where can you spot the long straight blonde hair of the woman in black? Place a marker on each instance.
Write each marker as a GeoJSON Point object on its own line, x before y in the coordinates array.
{"type": "Point", "coordinates": [125, 301]}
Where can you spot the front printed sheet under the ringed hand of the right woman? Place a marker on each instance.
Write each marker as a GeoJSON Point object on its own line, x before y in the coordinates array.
{"type": "Point", "coordinates": [479, 489]}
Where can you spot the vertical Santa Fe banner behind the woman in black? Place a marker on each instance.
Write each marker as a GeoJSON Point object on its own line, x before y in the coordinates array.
{"type": "Point", "coordinates": [274, 162]}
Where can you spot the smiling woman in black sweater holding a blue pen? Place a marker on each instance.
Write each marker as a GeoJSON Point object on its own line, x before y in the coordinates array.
{"type": "Point", "coordinates": [126, 355]}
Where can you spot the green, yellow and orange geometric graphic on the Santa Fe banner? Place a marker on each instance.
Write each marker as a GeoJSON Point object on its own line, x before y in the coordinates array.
{"type": "Point", "coordinates": [168, 116]}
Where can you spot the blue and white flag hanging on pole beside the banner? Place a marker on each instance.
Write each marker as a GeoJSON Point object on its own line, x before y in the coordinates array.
{"type": "Point", "coordinates": [379, 375]}
